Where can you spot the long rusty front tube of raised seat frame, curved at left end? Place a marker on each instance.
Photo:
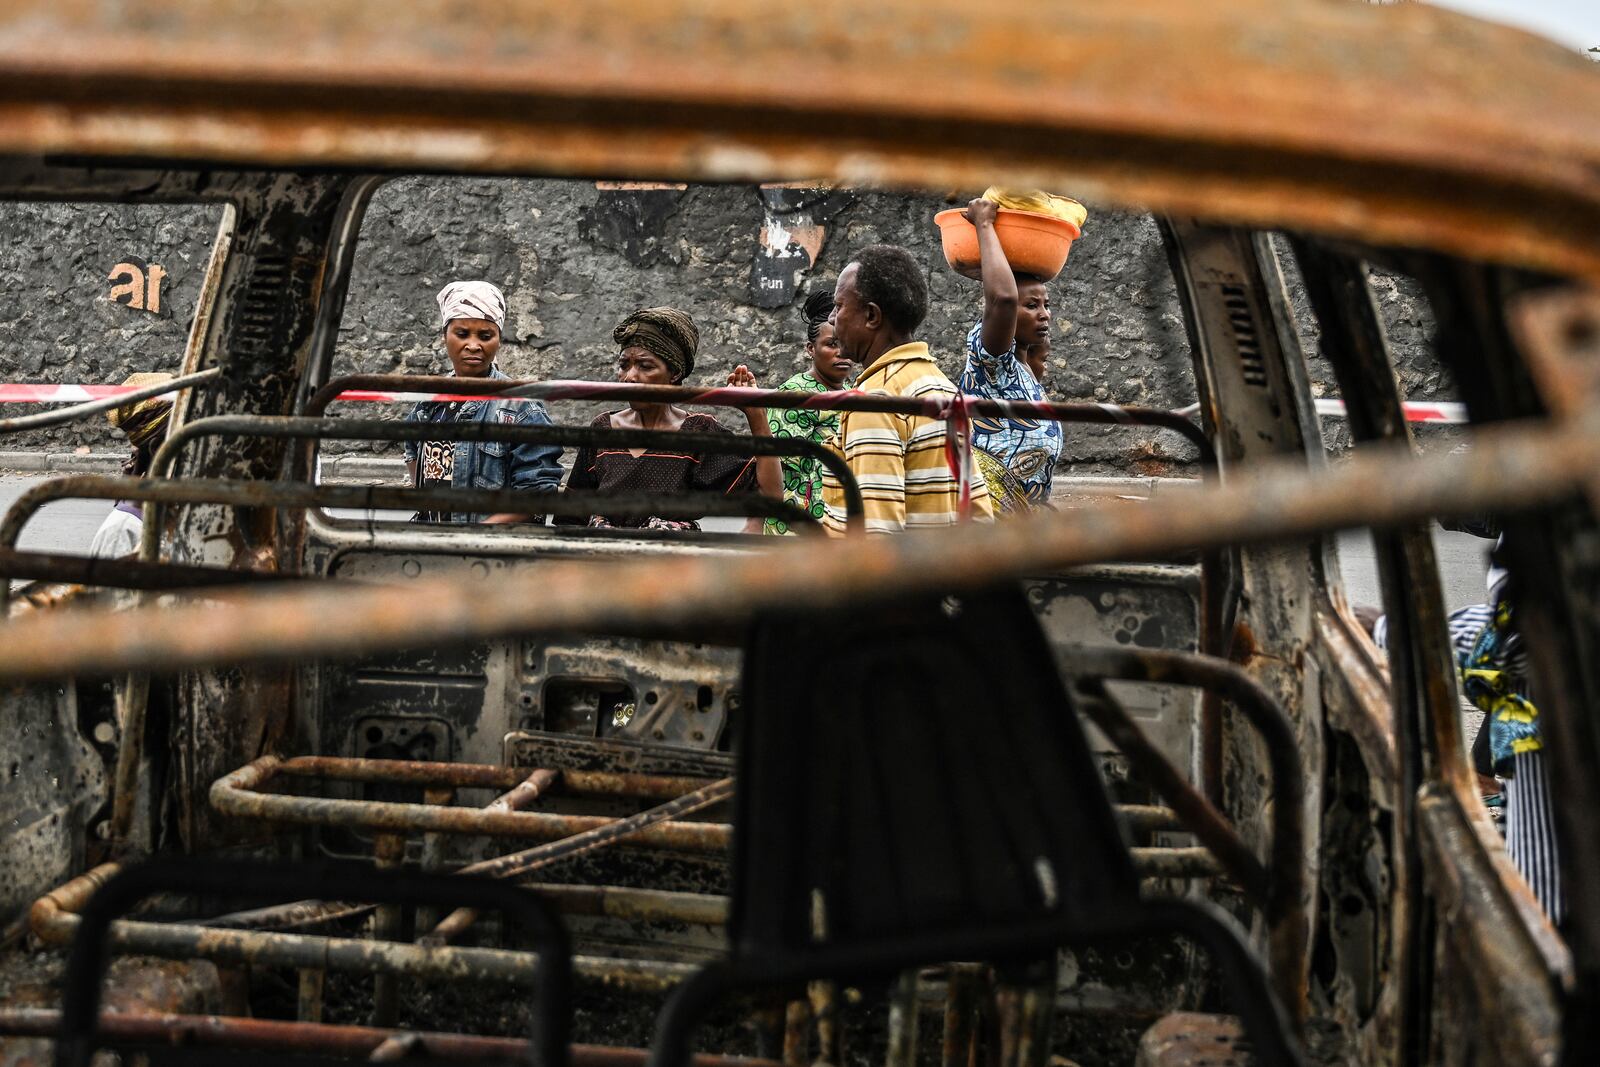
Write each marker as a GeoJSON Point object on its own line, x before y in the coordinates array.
{"type": "Point", "coordinates": [234, 796]}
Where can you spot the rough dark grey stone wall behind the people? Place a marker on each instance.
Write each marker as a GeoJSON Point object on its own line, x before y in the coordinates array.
{"type": "Point", "coordinates": [575, 257]}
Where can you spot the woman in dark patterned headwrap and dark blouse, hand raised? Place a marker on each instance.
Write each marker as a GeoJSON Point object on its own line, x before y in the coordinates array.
{"type": "Point", "coordinates": [657, 346]}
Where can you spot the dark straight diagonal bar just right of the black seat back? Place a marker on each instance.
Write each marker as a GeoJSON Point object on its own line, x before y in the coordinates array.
{"type": "Point", "coordinates": [1198, 813]}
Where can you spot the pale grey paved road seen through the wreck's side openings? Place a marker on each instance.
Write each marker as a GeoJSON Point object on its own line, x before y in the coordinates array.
{"type": "Point", "coordinates": [71, 526]}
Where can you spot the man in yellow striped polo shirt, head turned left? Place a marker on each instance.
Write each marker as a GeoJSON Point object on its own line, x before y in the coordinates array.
{"type": "Point", "coordinates": [898, 460]}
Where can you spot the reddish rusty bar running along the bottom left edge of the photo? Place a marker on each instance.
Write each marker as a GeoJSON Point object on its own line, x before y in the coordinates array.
{"type": "Point", "coordinates": [273, 1036]}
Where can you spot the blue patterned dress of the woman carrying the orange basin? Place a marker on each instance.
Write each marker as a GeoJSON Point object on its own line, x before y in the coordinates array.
{"type": "Point", "coordinates": [1028, 449]}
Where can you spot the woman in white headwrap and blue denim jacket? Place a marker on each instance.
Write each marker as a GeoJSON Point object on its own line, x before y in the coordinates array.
{"type": "Point", "coordinates": [474, 318]}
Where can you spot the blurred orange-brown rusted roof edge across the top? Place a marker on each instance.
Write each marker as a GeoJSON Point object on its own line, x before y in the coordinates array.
{"type": "Point", "coordinates": [1396, 124]}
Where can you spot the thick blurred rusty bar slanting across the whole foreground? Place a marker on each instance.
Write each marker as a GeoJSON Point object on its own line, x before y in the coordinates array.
{"type": "Point", "coordinates": [1510, 468]}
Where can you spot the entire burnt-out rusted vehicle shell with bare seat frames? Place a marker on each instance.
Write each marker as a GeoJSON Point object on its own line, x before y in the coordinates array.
{"type": "Point", "coordinates": [1126, 783]}
